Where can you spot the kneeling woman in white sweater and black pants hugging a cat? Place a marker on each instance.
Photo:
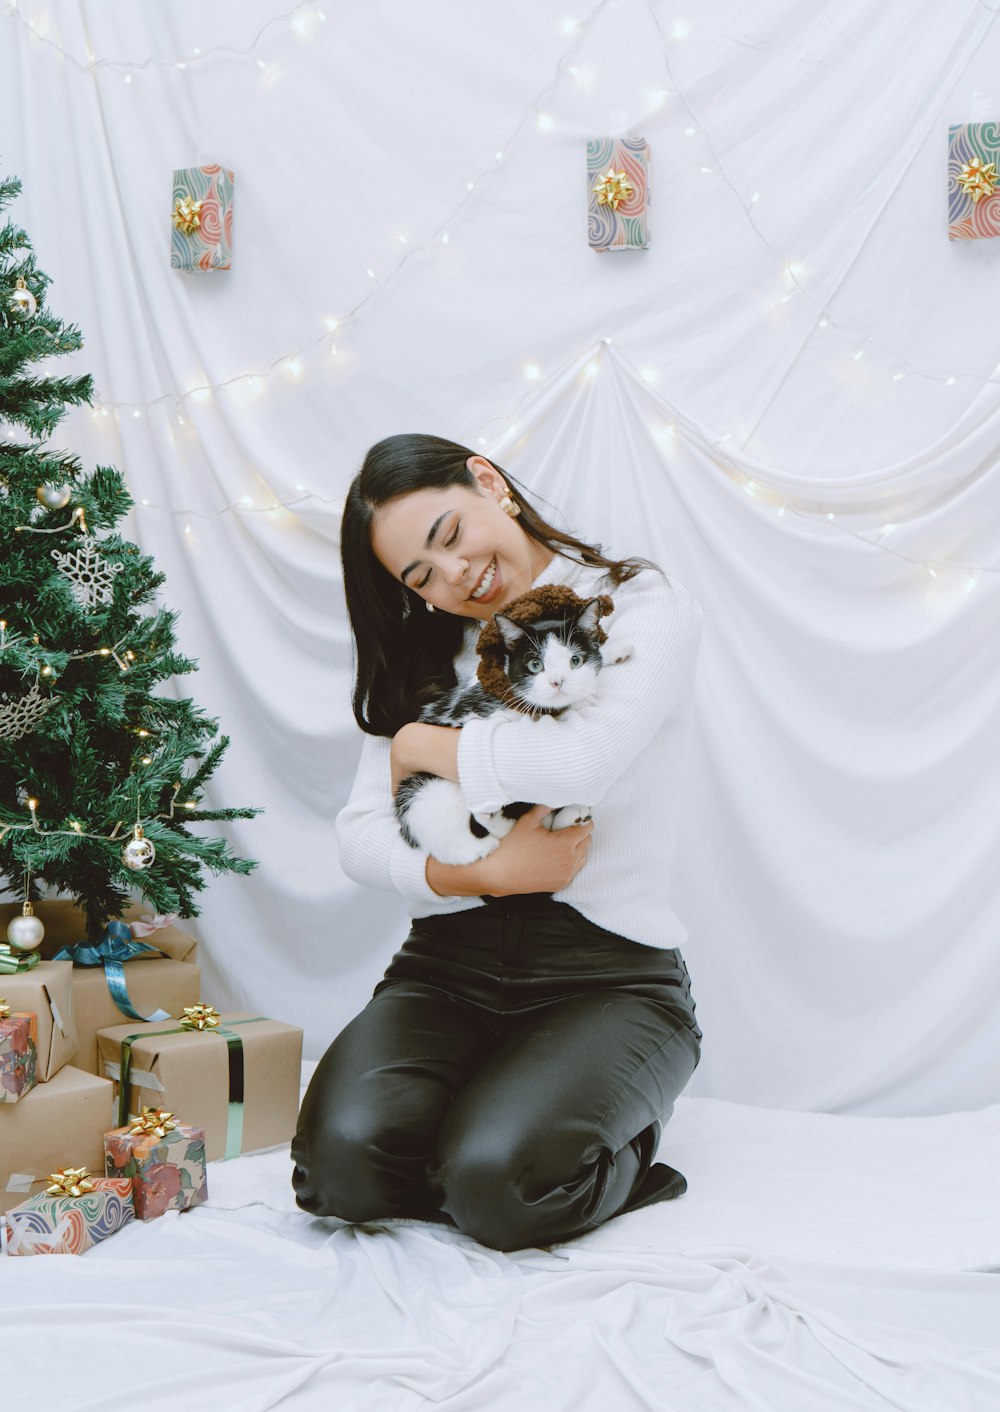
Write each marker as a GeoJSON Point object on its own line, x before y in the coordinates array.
{"type": "Point", "coordinates": [513, 1070]}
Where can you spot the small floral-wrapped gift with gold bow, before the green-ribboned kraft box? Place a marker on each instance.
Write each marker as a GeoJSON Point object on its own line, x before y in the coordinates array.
{"type": "Point", "coordinates": [165, 1160]}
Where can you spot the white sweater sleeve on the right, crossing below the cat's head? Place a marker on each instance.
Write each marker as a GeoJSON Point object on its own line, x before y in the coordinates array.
{"type": "Point", "coordinates": [578, 759]}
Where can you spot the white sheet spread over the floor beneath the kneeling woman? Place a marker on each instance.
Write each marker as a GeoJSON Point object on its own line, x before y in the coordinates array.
{"type": "Point", "coordinates": [816, 1263]}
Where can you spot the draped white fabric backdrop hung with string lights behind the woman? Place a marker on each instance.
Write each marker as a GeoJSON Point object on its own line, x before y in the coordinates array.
{"type": "Point", "coordinates": [800, 361]}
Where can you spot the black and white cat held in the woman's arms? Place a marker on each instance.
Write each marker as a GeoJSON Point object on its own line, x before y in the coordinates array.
{"type": "Point", "coordinates": [553, 667]}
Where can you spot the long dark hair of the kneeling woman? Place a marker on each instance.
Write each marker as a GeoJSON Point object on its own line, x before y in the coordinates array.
{"type": "Point", "coordinates": [402, 649]}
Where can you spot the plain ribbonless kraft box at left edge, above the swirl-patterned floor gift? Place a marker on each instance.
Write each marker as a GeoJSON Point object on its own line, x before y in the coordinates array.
{"type": "Point", "coordinates": [60, 1123]}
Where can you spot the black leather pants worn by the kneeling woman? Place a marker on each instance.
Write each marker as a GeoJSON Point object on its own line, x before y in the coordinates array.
{"type": "Point", "coordinates": [509, 1077]}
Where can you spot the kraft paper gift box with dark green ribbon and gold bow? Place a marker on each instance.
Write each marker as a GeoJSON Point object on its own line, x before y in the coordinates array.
{"type": "Point", "coordinates": [238, 1082]}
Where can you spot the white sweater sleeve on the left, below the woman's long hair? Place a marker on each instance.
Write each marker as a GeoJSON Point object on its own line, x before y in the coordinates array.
{"type": "Point", "coordinates": [372, 849]}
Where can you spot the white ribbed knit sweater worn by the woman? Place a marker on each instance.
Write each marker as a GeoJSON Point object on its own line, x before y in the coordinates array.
{"type": "Point", "coordinates": [625, 756]}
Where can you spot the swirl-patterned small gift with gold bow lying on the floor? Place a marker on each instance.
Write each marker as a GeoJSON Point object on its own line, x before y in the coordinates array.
{"type": "Point", "coordinates": [73, 1215]}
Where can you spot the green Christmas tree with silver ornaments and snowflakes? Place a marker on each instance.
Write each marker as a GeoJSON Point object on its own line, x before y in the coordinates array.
{"type": "Point", "coordinates": [101, 777]}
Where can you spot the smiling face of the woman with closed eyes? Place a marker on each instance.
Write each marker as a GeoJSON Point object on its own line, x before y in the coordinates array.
{"type": "Point", "coordinates": [450, 544]}
